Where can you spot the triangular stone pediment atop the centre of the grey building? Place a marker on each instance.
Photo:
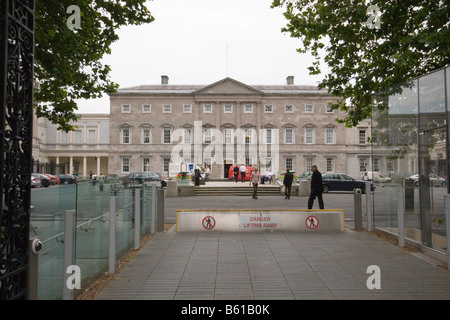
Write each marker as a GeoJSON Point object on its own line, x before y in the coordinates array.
{"type": "Point", "coordinates": [227, 86]}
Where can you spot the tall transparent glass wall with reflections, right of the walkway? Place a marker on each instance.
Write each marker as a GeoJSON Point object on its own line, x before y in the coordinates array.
{"type": "Point", "coordinates": [410, 147]}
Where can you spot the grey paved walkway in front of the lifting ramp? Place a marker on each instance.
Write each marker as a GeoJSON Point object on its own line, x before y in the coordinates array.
{"type": "Point", "coordinates": [275, 265]}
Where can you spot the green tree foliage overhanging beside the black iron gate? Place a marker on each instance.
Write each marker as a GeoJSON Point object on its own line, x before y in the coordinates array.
{"type": "Point", "coordinates": [68, 62]}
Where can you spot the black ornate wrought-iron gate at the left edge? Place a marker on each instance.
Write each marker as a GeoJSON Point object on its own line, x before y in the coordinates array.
{"type": "Point", "coordinates": [16, 99]}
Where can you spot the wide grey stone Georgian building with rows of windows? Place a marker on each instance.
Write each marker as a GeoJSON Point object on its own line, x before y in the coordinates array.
{"type": "Point", "coordinates": [165, 127]}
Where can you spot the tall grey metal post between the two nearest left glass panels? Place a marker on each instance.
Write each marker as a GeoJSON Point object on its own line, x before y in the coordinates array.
{"type": "Point", "coordinates": [69, 251]}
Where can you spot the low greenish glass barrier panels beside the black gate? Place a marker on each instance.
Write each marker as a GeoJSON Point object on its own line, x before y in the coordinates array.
{"type": "Point", "coordinates": [92, 205]}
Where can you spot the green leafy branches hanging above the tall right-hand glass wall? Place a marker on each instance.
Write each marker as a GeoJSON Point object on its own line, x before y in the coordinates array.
{"type": "Point", "coordinates": [411, 39]}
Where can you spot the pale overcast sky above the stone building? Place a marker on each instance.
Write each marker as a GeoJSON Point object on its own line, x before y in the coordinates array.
{"type": "Point", "coordinates": [204, 41]}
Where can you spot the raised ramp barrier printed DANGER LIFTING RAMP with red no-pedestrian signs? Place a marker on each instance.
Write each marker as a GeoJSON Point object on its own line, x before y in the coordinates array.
{"type": "Point", "coordinates": [235, 220]}
